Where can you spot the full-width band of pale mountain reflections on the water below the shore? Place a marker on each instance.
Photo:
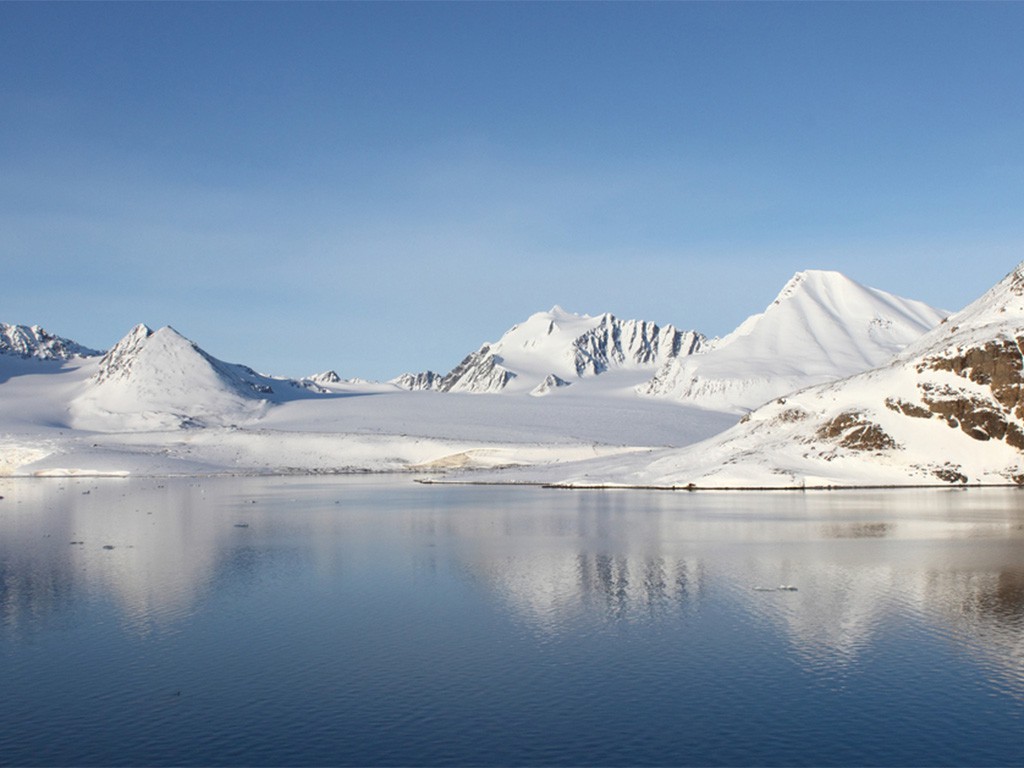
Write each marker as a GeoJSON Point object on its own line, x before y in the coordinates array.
{"type": "Point", "coordinates": [558, 562]}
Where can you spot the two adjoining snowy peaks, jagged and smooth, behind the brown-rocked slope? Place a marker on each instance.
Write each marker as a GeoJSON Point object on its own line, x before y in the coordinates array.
{"type": "Point", "coordinates": [822, 327]}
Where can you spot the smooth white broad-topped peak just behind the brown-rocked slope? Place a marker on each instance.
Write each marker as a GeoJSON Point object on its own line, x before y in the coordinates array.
{"type": "Point", "coordinates": [822, 327]}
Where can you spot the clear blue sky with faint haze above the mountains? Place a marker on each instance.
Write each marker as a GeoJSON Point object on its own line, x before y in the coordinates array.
{"type": "Point", "coordinates": [381, 188]}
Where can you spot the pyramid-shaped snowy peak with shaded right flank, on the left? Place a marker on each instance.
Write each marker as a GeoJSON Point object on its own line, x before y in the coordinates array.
{"type": "Point", "coordinates": [160, 380]}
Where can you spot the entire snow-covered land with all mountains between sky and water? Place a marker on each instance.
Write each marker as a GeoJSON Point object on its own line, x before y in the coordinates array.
{"type": "Point", "coordinates": [838, 385]}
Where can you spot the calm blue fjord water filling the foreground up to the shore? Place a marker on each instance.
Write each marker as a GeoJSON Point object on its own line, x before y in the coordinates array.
{"type": "Point", "coordinates": [379, 622]}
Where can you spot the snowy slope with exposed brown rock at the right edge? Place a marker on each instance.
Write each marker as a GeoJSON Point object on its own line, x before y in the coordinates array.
{"type": "Point", "coordinates": [949, 409]}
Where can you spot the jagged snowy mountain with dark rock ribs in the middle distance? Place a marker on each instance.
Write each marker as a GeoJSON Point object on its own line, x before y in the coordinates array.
{"type": "Point", "coordinates": [553, 350]}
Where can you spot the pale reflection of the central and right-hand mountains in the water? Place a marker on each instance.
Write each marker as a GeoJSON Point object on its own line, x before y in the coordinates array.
{"type": "Point", "coordinates": [952, 565]}
